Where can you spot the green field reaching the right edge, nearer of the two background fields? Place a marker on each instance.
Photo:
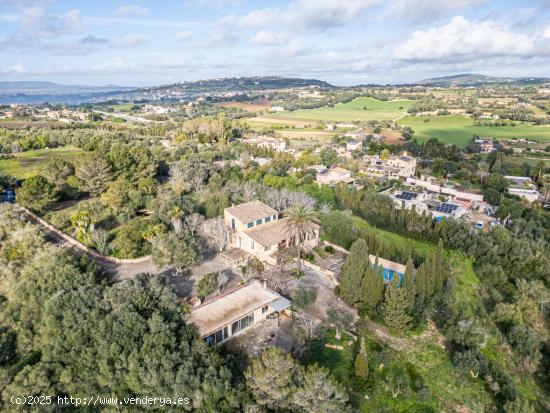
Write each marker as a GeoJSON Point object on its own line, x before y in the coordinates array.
{"type": "Point", "coordinates": [460, 129]}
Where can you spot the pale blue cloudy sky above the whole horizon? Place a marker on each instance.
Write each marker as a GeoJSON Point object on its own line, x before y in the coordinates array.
{"type": "Point", "coordinates": [345, 42]}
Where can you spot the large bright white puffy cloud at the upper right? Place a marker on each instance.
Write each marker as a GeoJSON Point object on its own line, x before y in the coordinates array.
{"type": "Point", "coordinates": [461, 39]}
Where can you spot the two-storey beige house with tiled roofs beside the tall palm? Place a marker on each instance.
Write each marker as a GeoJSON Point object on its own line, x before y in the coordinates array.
{"type": "Point", "coordinates": [258, 230]}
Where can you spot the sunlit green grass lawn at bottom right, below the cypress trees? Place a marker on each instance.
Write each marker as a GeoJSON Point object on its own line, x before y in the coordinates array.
{"type": "Point", "coordinates": [430, 381]}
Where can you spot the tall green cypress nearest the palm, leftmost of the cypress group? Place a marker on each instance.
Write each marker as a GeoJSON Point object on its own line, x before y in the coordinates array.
{"type": "Point", "coordinates": [354, 269]}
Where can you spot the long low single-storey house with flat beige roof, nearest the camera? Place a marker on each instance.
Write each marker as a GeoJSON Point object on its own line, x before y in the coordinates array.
{"type": "Point", "coordinates": [235, 311]}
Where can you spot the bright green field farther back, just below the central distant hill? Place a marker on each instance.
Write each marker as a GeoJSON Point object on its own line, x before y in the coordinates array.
{"type": "Point", "coordinates": [354, 110]}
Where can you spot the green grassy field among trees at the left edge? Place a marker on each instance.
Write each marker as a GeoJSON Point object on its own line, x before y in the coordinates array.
{"type": "Point", "coordinates": [30, 163]}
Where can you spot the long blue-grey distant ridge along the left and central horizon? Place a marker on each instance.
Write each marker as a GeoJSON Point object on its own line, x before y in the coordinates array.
{"type": "Point", "coordinates": [40, 92]}
